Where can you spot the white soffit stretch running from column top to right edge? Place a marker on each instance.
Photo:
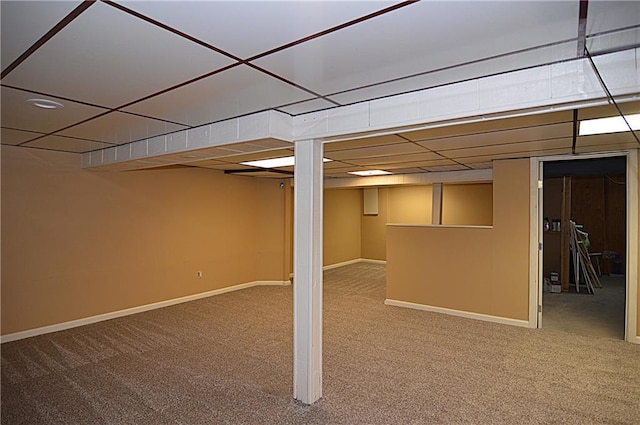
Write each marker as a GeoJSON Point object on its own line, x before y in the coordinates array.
{"type": "Point", "coordinates": [542, 89]}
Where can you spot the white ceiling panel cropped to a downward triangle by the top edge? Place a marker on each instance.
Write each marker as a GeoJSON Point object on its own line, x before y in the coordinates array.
{"type": "Point", "coordinates": [248, 28]}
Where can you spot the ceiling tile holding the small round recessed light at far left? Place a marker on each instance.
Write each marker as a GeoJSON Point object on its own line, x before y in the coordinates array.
{"type": "Point", "coordinates": [17, 113]}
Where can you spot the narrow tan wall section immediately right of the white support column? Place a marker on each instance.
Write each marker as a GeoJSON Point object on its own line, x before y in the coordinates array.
{"type": "Point", "coordinates": [341, 235]}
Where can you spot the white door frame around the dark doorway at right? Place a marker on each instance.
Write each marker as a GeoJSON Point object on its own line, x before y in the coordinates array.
{"type": "Point", "coordinates": [535, 238]}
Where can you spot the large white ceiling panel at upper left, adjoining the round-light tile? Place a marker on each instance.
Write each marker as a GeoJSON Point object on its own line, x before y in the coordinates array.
{"type": "Point", "coordinates": [72, 63]}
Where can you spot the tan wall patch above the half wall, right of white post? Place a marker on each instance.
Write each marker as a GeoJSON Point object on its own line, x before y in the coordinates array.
{"type": "Point", "coordinates": [467, 204]}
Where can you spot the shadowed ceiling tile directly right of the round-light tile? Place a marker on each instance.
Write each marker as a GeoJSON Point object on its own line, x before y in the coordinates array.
{"type": "Point", "coordinates": [119, 127]}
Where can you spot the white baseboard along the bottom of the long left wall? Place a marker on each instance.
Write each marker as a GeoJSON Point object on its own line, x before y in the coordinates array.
{"type": "Point", "coordinates": [126, 312]}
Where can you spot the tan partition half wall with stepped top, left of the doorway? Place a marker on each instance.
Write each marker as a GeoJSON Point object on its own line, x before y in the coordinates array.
{"type": "Point", "coordinates": [481, 270]}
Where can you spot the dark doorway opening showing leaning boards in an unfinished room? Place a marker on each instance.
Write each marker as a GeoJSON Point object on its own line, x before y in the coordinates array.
{"type": "Point", "coordinates": [584, 246]}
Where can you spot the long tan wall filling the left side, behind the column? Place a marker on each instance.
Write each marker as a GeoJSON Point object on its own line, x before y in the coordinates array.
{"type": "Point", "coordinates": [79, 243]}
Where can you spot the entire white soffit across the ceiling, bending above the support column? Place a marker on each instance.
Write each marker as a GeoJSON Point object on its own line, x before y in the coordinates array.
{"type": "Point", "coordinates": [543, 89]}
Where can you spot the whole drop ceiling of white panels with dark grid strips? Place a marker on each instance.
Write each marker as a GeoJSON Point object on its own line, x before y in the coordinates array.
{"type": "Point", "coordinates": [128, 71]}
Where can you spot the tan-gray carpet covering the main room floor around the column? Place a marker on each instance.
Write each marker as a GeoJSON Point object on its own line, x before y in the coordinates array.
{"type": "Point", "coordinates": [228, 360]}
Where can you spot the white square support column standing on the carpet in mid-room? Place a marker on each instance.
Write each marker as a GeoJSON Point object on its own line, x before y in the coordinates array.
{"type": "Point", "coordinates": [307, 272]}
